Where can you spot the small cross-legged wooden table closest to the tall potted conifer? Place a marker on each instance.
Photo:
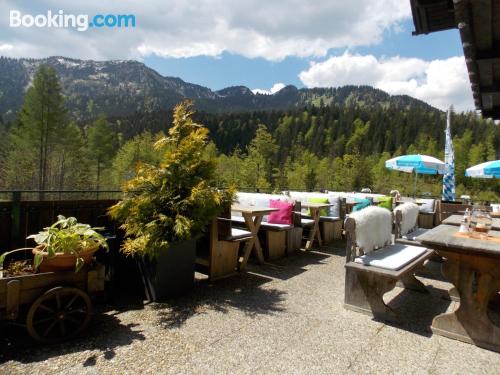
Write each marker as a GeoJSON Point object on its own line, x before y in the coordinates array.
{"type": "Point", "coordinates": [253, 218]}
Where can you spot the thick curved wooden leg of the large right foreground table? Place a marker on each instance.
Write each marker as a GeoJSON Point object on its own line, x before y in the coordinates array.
{"type": "Point", "coordinates": [476, 279]}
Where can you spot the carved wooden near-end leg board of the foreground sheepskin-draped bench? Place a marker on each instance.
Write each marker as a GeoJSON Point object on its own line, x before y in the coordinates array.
{"type": "Point", "coordinates": [364, 293]}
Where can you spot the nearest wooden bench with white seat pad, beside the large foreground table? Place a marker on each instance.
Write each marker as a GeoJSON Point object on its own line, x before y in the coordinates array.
{"type": "Point", "coordinates": [367, 277]}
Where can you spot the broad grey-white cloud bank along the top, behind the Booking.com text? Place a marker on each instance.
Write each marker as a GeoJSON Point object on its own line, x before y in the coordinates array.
{"type": "Point", "coordinates": [177, 28]}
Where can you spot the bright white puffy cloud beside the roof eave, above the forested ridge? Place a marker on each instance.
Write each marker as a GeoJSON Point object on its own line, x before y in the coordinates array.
{"type": "Point", "coordinates": [437, 82]}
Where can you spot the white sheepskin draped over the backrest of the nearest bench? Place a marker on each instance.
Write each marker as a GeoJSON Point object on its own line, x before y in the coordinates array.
{"type": "Point", "coordinates": [373, 228]}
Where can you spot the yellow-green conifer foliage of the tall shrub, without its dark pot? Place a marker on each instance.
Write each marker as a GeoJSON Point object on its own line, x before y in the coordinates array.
{"type": "Point", "coordinates": [174, 201]}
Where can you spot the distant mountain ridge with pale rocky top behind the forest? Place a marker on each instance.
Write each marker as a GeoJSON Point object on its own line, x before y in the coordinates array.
{"type": "Point", "coordinates": [122, 88]}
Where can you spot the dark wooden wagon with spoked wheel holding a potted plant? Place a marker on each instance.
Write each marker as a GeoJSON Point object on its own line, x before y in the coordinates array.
{"type": "Point", "coordinates": [53, 306]}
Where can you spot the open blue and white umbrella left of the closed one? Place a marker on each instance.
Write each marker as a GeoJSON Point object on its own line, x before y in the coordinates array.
{"type": "Point", "coordinates": [418, 164]}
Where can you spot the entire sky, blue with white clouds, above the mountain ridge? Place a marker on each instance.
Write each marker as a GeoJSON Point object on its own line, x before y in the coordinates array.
{"type": "Point", "coordinates": [263, 45]}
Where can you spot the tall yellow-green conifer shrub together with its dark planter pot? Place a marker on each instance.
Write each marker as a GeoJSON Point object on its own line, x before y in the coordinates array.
{"type": "Point", "coordinates": [166, 207]}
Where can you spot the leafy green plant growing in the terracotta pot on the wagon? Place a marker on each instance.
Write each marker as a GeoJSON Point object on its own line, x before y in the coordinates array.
{"type": "Point", "coordinates": [66, 236]}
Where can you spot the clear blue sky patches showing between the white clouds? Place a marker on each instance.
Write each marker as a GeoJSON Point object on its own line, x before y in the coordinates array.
{"type": "Point", "coordinates": [231, 69]}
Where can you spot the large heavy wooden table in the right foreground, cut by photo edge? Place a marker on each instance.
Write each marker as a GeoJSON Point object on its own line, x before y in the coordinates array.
{"type": "Point", "coordinates": [473, 266]}
